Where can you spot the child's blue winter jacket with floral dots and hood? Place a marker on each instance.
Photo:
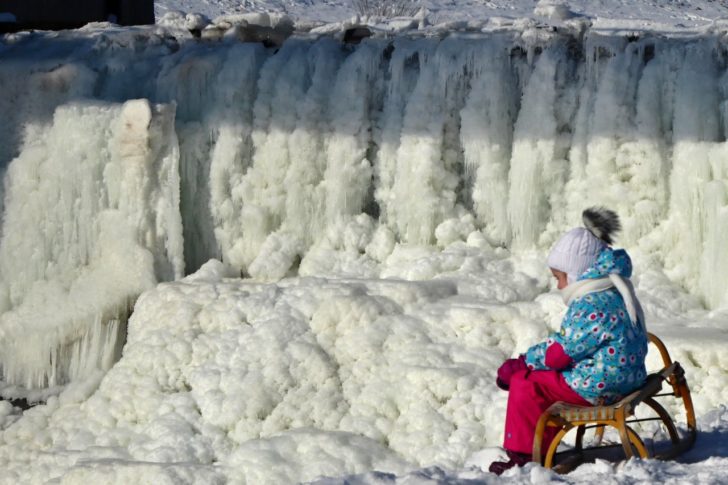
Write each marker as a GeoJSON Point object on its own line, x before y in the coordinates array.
{"type": "Point", "coordinates": [607, 350]}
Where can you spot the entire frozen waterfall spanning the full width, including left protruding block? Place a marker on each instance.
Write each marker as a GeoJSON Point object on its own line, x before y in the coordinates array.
{"type": "Point", "coordinates": [132, 156]}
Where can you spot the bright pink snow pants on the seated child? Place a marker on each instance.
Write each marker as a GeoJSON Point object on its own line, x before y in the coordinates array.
{"type": "Point", "coordinates": [529, 395]}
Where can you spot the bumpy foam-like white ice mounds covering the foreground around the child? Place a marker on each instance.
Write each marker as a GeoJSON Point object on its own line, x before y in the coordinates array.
{"type": "Point", "coordinates": [230, 380]}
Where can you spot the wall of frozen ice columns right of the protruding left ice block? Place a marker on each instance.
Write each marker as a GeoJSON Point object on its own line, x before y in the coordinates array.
{"type": "Point", "coordinates": [511, 133]}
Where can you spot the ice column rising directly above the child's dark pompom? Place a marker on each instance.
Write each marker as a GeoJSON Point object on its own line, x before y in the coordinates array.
{"type": "Point", "coordinates": [618, 154]}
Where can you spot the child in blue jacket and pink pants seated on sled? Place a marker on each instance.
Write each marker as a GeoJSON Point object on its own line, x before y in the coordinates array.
{"type": "Point", "coordinates": [597, 357]}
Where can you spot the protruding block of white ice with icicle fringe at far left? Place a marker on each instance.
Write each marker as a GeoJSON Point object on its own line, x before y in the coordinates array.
{"type": "Point", "coordinates": [91, 221]}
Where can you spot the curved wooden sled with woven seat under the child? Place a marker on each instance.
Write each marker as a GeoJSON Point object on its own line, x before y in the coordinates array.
{"type": "Point", "coordinates": [620, 416]}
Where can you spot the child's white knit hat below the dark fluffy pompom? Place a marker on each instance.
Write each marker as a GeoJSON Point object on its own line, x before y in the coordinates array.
{"type": "Point", "coordinates": [575, 252]}
